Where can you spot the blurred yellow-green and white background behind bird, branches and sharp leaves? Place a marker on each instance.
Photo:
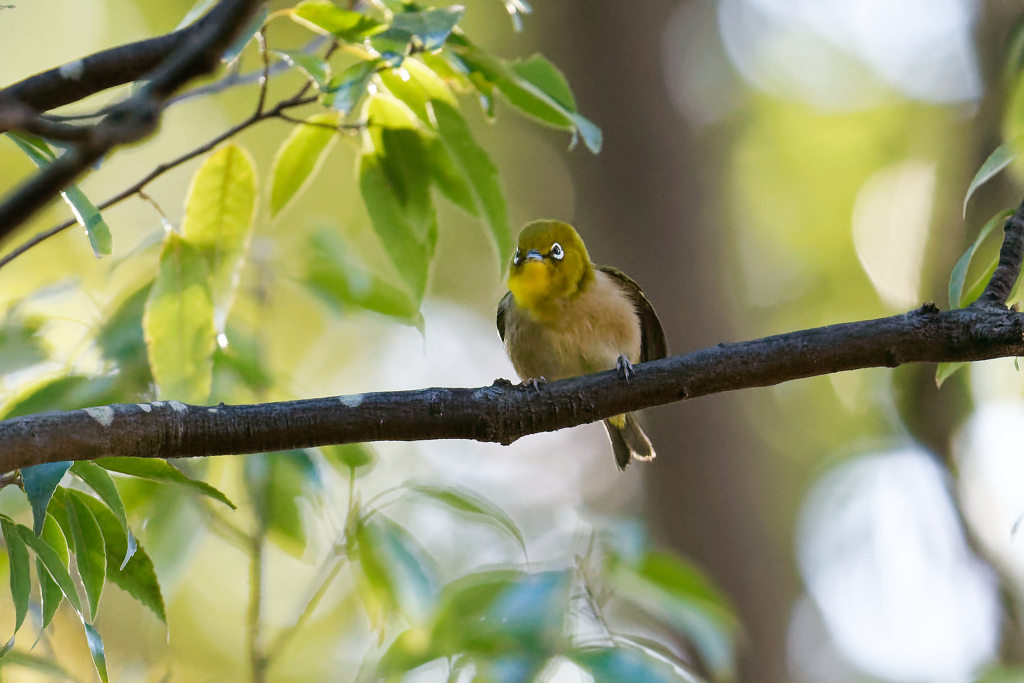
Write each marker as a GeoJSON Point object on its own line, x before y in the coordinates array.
{"type": "Point", "coordinates": [766, 166]}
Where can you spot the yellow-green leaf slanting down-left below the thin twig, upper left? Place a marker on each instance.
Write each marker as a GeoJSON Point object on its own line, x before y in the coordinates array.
{"type": "Point", "coordinates": [301, 157]}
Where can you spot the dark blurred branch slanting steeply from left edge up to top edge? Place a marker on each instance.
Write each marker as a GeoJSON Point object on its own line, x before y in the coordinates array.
{"type": "Point", "coordinates": [197, 54]}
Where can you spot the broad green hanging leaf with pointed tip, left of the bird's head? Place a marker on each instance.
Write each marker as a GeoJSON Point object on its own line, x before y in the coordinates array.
{"type": "Point", "coordinates": [397, 223]}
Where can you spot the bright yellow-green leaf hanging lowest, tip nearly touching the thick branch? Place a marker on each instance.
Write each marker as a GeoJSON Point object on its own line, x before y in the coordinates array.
{"type": "Point", "coordinates": [180, 324]}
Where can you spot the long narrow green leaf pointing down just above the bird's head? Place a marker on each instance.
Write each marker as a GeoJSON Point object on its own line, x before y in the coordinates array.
{"type": "Point", "coordinates": [481, 174]}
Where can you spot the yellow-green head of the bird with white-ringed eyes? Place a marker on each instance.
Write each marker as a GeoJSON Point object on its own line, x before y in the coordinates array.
{"type": "Point", "coordinates": [550, 264]}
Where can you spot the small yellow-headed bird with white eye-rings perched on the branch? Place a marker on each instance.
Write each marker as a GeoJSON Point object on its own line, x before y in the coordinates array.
{"type": "Point", "coordinates": [565, 317]}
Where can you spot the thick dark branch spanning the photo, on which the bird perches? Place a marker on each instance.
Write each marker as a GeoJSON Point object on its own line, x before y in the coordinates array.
{"type": "Point", "coordinates": [504, 413]}
